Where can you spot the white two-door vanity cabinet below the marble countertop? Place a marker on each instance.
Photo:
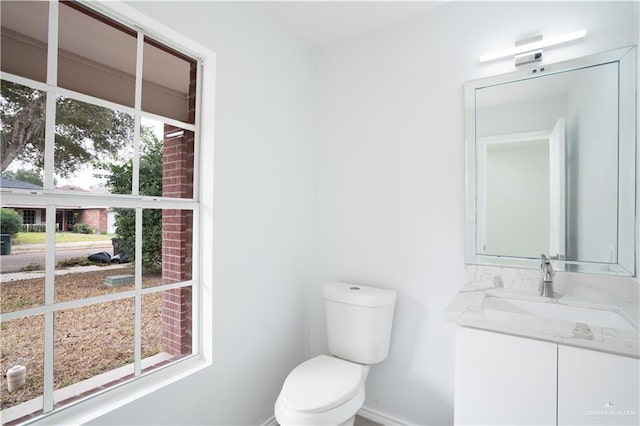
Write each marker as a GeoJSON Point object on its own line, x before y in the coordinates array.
{"type": "Point", "coordinates": [502, 379]}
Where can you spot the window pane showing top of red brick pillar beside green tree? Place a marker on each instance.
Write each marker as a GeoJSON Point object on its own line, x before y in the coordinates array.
{"type": "Point", "coordinates": [167, 159]}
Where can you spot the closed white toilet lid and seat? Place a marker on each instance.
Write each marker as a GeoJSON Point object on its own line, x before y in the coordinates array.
{"type": "Point", "coordinates": [321, 384]}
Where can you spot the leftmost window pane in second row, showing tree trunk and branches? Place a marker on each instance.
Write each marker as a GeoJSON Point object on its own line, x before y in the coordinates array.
{"type": "Point", "coordinates": [22, 113]}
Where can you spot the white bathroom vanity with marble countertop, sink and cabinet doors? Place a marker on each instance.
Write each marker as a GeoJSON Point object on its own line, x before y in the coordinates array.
{"type": "Point", "coordinates": [524, 359]}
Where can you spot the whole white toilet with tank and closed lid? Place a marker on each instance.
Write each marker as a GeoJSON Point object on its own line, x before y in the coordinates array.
{"type": "Point", "coordinates": [330, 389]}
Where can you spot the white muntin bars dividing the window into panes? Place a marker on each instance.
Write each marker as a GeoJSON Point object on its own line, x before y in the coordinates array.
{"type": "Point", "coordinates": [51, 197]}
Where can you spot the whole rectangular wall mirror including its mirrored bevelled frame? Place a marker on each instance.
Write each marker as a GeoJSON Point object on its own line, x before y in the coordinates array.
{"type": "Point", "coordinates": [551, 166]}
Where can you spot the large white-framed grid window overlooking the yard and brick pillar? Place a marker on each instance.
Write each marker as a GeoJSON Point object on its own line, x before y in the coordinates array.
{"type": "Point", "coordinates": [117, 145]}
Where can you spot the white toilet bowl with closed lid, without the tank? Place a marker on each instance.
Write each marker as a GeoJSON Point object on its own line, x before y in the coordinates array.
{"type": "Point", "coordinates": [322, 391]}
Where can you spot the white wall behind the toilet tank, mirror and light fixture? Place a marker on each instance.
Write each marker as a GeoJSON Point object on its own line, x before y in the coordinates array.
{"type": "Point", "coordinates": [390, 171]}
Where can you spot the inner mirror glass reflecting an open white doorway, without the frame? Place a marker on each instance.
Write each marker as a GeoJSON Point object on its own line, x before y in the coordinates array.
{"type": "Point", "coordinates": [542, 157]}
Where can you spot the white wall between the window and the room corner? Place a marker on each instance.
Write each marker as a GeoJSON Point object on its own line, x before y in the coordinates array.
{"type": "Point", "coordinates": [262, 212]}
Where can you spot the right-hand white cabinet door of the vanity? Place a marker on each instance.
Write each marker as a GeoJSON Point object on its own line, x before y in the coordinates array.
{"type": "Point", "coordinates": [595, 388]}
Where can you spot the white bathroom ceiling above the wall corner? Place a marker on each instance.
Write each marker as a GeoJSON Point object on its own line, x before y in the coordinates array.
{"type": "Point", "coordinates": [324, 22]}
